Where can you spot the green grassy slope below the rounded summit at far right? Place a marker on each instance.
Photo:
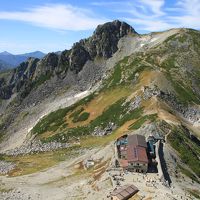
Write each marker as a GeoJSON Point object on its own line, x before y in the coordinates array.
{"type": "Point", "coordinates": [180, 50]}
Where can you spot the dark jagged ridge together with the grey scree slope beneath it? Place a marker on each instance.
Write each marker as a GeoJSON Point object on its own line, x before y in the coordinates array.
{"type": "Point", "coordinates": [36, 80]}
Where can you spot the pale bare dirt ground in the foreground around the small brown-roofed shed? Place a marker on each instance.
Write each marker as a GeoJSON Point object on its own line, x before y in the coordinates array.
{"type": "Point", "coordinates": [69, 180]}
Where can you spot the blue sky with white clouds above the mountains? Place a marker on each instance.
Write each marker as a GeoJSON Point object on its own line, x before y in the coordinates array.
{"type": "Point", "coordinates": [52, 25]}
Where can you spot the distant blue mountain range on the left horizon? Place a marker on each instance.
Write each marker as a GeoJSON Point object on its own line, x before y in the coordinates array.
{"type": "Point", "coordinates": [8, 60]}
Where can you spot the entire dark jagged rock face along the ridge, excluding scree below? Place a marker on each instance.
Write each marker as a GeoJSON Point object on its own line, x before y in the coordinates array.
{"type": "Point", "coordinates": [103, 43]}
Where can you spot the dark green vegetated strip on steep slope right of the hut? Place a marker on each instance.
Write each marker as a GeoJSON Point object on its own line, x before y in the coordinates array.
{"type": "Point", "coordinates": [188, 150]}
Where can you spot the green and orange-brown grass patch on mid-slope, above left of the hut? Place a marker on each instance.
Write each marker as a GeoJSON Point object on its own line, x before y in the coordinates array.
{"type": "Point", "coordinates": [101, 108]}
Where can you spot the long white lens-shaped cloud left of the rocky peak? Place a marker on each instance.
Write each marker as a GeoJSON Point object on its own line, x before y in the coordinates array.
{"type": "Point", "coordinates": [56, 16]}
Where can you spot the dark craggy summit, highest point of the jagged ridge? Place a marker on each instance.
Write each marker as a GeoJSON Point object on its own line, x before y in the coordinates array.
{"type": "Point", "coordinates": [103, 43]}
